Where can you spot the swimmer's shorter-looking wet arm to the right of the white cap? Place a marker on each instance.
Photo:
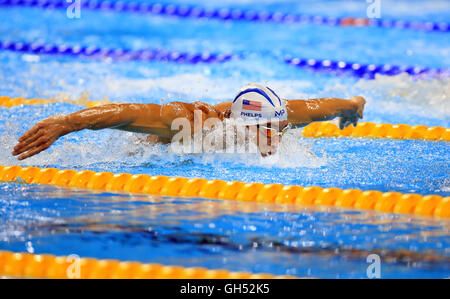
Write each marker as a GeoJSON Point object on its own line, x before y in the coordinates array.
{"type": "Point", "coordinates": [303, 112]}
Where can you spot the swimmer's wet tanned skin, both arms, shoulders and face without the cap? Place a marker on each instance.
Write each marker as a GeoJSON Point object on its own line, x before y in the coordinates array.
{"type": "Point", "coordinates": [156, 120]}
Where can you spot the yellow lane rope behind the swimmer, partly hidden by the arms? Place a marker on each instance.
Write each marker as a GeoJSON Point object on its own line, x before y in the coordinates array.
{"type": "Point", "coordinates": [317, 129]}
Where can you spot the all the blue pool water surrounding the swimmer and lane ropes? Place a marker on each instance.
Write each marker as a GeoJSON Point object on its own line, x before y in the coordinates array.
{"type": "Point", "coordinates": [292, 240]}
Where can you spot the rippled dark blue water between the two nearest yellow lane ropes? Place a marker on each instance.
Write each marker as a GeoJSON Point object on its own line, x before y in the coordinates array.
{"type": "Point", "coordinates": [269, 238]}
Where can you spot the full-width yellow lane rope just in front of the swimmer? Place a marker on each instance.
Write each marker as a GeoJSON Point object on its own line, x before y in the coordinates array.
{"type": "Point", "coordinates": [390, 202]}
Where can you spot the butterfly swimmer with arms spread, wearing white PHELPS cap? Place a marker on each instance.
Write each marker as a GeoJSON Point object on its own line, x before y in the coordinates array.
{"type": "Point", "coordinates": [256, 106]}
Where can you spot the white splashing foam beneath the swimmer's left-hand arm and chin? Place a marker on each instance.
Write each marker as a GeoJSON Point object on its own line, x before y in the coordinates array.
{"type": "Point", "coordinates": [133, 149]}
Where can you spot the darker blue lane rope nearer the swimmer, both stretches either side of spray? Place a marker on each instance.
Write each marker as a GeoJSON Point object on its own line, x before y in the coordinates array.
{"type": "Point", "coordinates": [366, 71]}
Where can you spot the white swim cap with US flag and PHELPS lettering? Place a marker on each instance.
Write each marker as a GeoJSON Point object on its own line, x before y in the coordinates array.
{"type": "Point", "coordinates": [256, 104]}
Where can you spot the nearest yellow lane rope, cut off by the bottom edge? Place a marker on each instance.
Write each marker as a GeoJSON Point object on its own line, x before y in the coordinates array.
{"type": "Point", "coordinates": [26, 265]}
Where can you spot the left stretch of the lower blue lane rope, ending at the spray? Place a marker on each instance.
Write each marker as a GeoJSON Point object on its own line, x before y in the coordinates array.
{"type": "Point", "coordinates": [116, 54]}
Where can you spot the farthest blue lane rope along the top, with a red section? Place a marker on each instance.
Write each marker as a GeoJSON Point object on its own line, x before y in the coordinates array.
{"type": "Point", "coordinates": [226, 14]}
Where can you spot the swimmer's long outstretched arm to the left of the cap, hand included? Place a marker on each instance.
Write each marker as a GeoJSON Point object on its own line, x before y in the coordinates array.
{"type": "Point", "coordinates": [142, 118]}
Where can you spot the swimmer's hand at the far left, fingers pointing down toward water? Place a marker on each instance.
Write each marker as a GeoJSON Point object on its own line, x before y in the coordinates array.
{"type": "Point", "coordinates": [41, 137]}
